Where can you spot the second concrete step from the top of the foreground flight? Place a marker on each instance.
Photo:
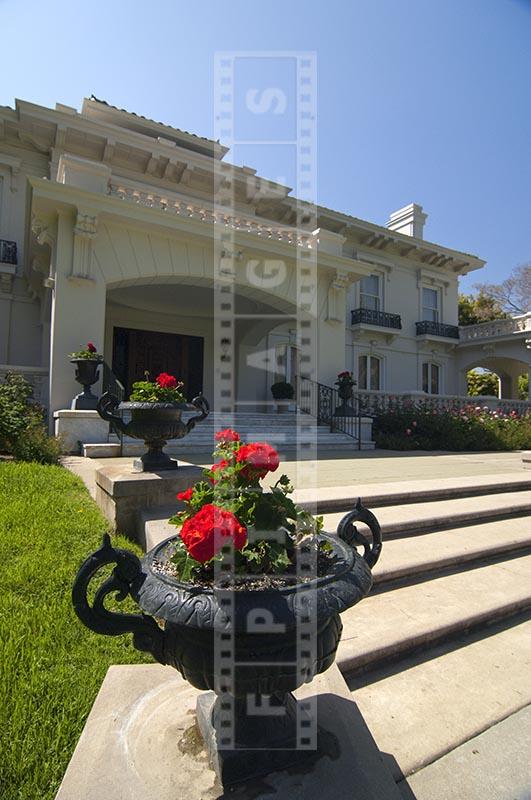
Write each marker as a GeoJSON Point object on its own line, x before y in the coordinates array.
{"type": "Point", "coordinates": [421, 517]}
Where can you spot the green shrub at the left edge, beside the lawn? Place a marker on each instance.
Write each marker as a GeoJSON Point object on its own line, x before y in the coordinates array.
{"type": "Point", "coordinates": [22, 426]}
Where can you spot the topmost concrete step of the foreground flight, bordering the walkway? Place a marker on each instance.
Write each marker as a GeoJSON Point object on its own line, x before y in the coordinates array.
{"type": "Point", "coordinates": [376, 495]}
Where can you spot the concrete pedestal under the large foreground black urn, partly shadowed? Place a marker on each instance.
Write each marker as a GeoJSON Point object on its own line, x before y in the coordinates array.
{"type": "Point", "coordinates": [141, 742]}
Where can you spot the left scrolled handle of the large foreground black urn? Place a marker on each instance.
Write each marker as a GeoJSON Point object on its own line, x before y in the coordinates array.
{"type": "Point", "coordinates": [125, 577]}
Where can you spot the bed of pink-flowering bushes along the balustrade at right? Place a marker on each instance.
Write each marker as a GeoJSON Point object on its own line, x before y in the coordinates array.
{"type": "Point", "coordinates": [405, 426]}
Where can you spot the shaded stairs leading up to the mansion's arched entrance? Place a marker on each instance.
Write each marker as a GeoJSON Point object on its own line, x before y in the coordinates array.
{"type": "Point", "coordinates": [284, 431]}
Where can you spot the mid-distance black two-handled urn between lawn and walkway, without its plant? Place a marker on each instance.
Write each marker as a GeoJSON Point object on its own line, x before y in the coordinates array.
{"type": "Point", "coordinates": [154, 423]}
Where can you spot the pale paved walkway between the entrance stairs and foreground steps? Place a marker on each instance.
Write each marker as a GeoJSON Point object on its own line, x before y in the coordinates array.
{"type": "Point", "coordinates": [377, 466]}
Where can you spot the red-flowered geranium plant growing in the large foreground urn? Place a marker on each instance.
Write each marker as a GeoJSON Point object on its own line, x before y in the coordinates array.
{"type": "Point", "coordinates": [265, 530]}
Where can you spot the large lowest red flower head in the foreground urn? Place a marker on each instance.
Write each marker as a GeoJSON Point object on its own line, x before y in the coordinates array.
{"type": "Point", "coordinates": [206, 532]}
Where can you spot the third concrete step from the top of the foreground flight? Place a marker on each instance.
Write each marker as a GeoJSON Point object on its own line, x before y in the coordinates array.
{"type": "Point", "coordinates": [432, 552]}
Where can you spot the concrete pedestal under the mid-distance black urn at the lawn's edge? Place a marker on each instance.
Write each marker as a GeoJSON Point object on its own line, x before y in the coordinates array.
{"type": "Point", "coordinates": [122, 494]}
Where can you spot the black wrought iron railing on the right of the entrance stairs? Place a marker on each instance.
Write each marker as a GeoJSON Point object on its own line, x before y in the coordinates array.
{"type": "Point", "coordinates": [325, 404]}
